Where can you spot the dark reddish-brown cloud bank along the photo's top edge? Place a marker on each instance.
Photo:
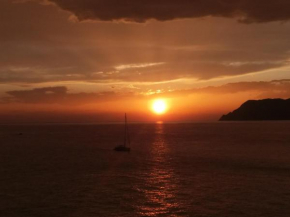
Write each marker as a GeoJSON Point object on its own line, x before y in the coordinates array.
{"type": "Point", "coordinates": [139, 11]}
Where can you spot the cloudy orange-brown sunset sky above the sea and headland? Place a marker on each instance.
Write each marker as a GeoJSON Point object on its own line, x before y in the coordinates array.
{"type": "Point", "coordinates": [94, 60]}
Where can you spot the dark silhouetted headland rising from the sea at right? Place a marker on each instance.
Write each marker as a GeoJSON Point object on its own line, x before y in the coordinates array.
{"type": "Point", "coordinates": [258, 110]}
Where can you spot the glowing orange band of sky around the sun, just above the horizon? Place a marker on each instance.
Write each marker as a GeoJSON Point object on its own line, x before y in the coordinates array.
{"type": "Point", "coordinates": [177, 107]}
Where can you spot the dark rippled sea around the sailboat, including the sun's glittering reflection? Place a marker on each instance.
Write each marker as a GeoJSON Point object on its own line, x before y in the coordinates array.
{"type": "Point", "coordinates": [211, 169]}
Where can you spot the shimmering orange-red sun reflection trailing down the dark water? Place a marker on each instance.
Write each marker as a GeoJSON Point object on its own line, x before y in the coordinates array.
{"type": "Point", "coordinates": [160, 187]}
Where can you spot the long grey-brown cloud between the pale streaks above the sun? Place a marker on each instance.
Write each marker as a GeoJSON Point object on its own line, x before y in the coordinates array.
{"type": "Point", "coordinates": [201, 70]}
